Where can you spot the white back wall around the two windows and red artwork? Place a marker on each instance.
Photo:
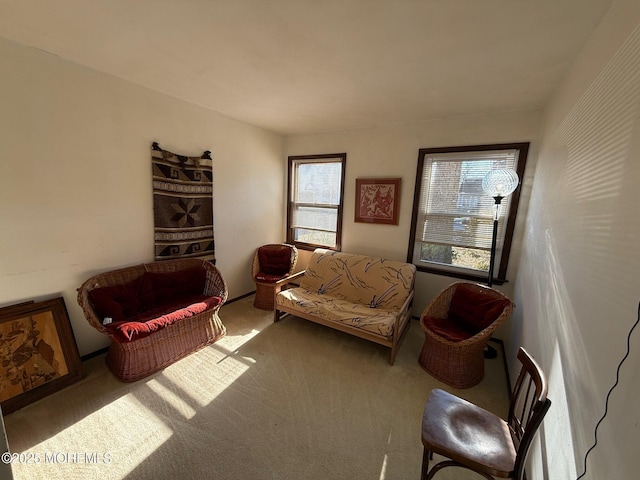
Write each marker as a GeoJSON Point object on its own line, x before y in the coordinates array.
{"type": "Point", "coordinates": [393, 152]}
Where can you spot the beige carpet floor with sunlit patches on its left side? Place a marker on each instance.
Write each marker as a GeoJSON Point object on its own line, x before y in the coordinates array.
{"type": "Point", "coordinates": [291, 400]}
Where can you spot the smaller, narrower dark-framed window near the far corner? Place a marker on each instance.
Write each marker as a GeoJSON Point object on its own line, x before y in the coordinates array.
{"type": "Point", "coordinates": [315, 198]}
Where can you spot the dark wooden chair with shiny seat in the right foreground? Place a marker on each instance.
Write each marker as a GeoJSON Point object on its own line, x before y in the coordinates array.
{"type": "Point", "coordinates": [473, 438]}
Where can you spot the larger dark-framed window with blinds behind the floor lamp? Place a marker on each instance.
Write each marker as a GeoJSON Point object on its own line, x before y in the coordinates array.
{"type": "Point", "coordinates": [452, 223]}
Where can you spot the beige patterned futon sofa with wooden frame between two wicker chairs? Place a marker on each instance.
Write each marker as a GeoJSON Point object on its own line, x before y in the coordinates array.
{"type": "Point", "coordinates": [365, 296]}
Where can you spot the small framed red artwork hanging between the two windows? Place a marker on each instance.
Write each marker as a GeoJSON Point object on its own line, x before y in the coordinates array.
{"type": "Point", "coordinates": [377, 200]}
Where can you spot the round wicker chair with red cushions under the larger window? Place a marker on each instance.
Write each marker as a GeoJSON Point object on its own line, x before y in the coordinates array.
{"type": "Point", "coordinates": [457, 325]}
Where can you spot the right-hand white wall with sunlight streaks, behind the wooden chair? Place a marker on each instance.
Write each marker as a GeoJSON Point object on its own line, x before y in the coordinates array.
{"type": "Point", "coordinates": [578, 284]}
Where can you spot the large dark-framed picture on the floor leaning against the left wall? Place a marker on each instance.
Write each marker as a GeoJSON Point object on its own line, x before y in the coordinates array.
{"type": "Point", "coordinates": [38, 352]}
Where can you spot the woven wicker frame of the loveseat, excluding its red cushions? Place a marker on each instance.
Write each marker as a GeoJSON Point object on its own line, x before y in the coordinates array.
{"type": "Point", "coordinates": [133, 360]}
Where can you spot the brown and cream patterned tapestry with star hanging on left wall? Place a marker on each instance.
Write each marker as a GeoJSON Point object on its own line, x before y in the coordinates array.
{"type": "Point", "coordinates": [182, 205]}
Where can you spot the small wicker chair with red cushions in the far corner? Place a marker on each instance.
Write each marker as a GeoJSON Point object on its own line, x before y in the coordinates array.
{"type": "Point", "coordinates": [271, 269]}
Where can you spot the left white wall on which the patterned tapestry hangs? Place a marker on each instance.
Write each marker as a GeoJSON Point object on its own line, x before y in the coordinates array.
{"type": "Point", "coordinates": [75, 179]}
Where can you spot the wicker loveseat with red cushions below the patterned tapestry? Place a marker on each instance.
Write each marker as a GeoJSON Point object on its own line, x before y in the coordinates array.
{"type": "Point", "coordinates": [155, 313]}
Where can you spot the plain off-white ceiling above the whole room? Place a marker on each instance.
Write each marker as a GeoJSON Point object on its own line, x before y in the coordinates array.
{"type": "Point", "coordinates": [306, 66]}
